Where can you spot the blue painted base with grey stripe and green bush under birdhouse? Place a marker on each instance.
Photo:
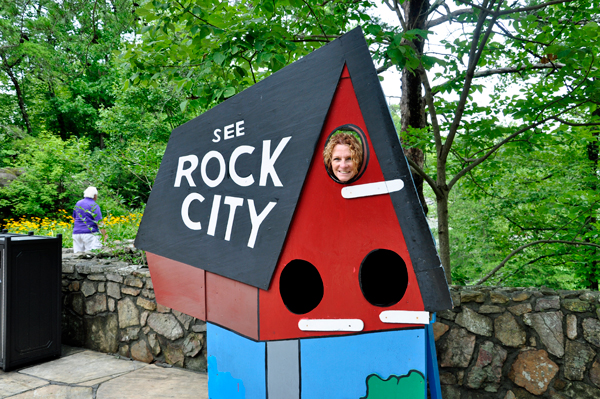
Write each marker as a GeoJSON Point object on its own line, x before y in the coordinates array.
{"type": "Point", "coordinates": [395, 362]}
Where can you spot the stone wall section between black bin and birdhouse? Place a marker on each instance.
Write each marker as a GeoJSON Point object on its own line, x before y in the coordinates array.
{"type": "Point", "coordinates": [109, 306]}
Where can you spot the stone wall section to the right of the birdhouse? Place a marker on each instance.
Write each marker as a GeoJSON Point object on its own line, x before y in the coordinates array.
{"type": "Point", "coordinates": [519, 343]}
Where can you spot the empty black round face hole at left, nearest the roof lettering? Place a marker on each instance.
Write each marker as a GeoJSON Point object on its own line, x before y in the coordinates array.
{"type": "Point", "coordinates": [300, 286]}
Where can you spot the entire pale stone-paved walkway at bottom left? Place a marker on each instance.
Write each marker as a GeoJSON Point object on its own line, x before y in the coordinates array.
{"type": "Point", "coordinates": [84, 374]}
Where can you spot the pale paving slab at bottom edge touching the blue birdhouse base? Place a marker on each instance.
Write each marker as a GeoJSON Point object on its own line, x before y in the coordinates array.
{"type": "Point", "coordinates": [155, 382]}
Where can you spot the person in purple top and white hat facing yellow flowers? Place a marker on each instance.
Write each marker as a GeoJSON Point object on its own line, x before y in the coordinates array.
{"type": "Point", "coordinates": [87, 217]}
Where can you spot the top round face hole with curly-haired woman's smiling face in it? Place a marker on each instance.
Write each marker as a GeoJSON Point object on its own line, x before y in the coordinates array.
{"type": "Point", "coordinates": [346, 154]}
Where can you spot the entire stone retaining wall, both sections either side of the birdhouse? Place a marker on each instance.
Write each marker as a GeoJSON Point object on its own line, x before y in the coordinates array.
{"type": "Point", "coordinates": [496, 343]}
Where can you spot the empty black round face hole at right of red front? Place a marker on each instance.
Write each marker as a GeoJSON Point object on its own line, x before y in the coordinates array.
{"type": "Point", "coordinates": [383, 277]}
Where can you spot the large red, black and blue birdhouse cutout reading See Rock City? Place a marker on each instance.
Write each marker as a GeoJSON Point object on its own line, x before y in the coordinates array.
{"type": "Point", "coordinates": [315, 280]}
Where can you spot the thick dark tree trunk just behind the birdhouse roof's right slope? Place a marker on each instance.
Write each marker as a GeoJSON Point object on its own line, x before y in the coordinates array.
{"type": "Point", "coordinates": [412, 105]}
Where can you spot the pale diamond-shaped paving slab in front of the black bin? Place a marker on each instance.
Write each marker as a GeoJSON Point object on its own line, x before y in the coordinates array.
{"type": "Point", "coordinates": [82, 367]}
